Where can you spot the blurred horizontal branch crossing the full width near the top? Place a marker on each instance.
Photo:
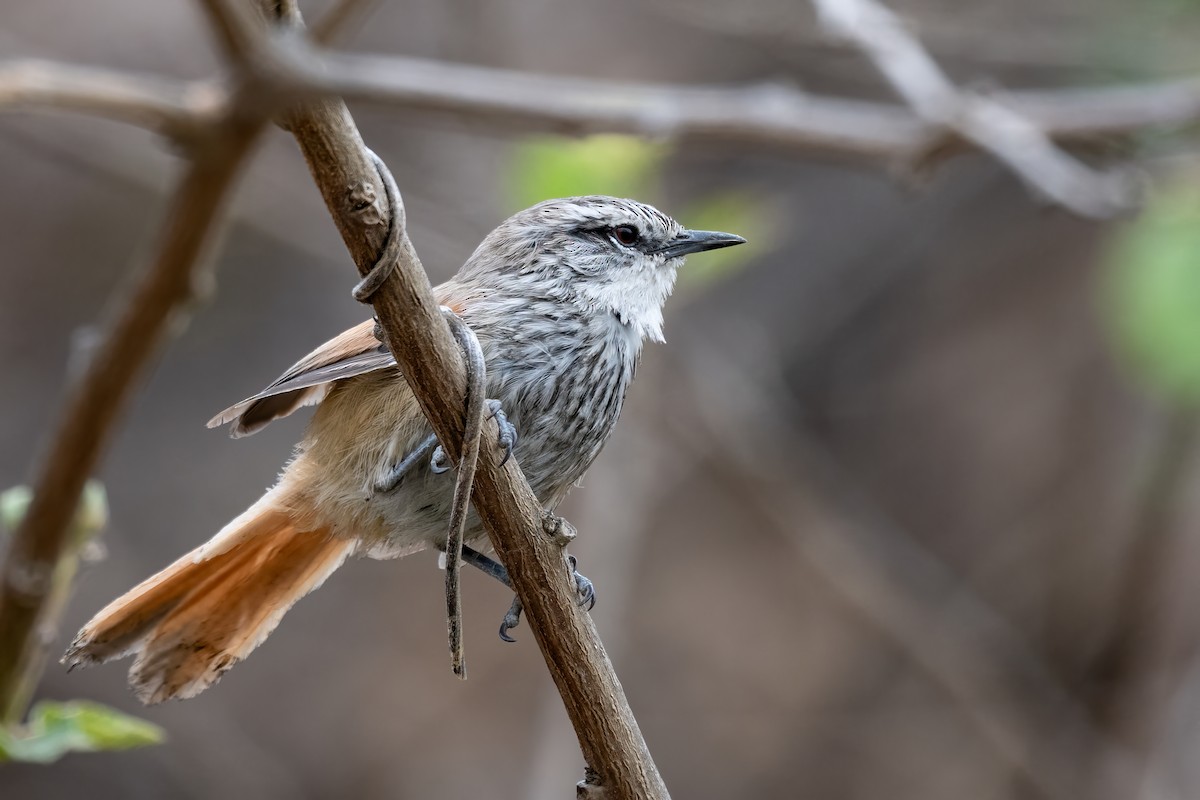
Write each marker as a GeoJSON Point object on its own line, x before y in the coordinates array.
{"type": "Point", "coordinates": [775, 116]}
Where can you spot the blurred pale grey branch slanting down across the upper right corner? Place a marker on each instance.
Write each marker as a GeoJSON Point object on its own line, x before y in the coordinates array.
{"type": "Point", "coordinates": [1012, 139]}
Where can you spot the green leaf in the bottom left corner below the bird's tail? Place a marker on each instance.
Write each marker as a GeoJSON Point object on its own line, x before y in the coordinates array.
{"type": "Point", "coordinates": [58, 729]}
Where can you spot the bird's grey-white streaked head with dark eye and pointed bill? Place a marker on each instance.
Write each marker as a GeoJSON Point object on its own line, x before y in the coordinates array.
{"type": "Point", "coordinates": [609, 255]}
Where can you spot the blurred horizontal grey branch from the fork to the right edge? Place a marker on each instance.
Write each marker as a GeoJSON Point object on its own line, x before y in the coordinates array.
{"type": "Point", "coordinates": [777, 116]}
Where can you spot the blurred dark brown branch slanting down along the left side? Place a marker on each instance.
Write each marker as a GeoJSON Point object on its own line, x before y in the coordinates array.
{"type": "Point", "coordinates": [98, 400]}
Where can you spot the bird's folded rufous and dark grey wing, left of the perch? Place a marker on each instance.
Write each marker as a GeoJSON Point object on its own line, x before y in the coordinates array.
{"type": "Point", "coordinates": [307, 383]}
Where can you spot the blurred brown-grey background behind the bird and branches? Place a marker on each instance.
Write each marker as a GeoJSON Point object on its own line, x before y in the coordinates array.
{"type": "Point", "coordinates": [905, 508]}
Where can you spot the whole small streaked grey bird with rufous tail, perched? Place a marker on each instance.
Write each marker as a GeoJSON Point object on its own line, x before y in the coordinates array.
{"type": "Point", "coordinates": [562, 297]}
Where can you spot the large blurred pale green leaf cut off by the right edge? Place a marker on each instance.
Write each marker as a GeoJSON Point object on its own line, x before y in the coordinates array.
{"type": "Point", "coordinates": [1153, 293]}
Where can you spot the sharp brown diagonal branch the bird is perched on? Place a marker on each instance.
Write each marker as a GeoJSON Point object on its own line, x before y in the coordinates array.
{"type": "Point", "coordinates": [429, 358]}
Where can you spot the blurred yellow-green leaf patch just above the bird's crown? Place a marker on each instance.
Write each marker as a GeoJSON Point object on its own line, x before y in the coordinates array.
{"type": "Point", "coordinates": [550, 167]}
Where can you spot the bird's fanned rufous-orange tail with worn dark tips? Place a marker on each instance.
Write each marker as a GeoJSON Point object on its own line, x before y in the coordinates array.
{"type": "Point", "coordinates": [208, 611]}
